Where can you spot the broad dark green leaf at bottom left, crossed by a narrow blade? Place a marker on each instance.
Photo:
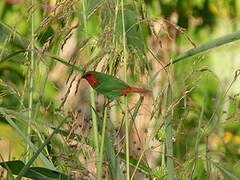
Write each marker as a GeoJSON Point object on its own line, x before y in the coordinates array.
{"type": "Point", "coordinates": [37, 173]}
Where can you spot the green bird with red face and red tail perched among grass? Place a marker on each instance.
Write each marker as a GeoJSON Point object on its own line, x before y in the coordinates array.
{"type": "Point", "coordinates": [110, 86]}
